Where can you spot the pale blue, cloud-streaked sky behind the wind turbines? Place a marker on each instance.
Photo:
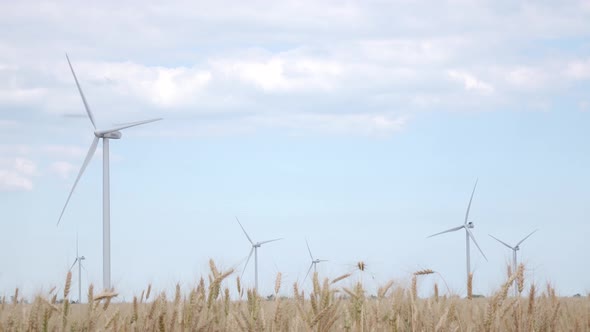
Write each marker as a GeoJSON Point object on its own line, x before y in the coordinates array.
{"type": "Point", "coordinates": [359, 126]}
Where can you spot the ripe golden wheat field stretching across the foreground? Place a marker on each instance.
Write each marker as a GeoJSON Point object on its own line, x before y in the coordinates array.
{"type": "Point", "coordinates": [329, 306]}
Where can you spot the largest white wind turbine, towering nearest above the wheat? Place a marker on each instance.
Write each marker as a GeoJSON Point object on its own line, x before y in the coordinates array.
{"type": "Point", "coordinates": [106, 135]}
